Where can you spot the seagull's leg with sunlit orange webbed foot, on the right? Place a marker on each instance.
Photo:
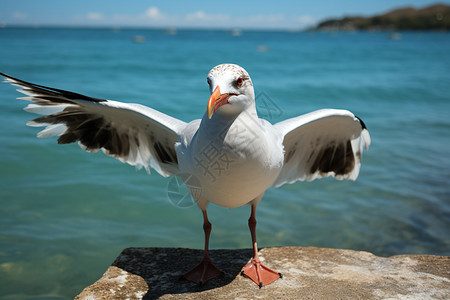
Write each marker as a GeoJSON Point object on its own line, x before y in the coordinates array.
{"type": "Point", "coordinates": [255, 270]}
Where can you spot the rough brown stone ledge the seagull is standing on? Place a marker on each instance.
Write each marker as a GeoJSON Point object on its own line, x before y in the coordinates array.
{"type": "Point", "coordinates": [308, 273]}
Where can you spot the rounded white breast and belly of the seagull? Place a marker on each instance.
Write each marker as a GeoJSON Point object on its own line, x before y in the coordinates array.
{"type": "Point", "coordinates": [237, 164]}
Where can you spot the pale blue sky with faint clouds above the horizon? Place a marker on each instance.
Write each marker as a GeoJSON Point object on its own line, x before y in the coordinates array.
{"type": "Point", "coordinates": [281, 14]}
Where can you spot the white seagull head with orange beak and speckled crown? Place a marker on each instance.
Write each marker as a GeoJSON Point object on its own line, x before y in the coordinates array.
{"type": "Point", "coordinates": [231, 90]}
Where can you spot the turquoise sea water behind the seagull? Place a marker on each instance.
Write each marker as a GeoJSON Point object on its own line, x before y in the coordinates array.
{"type": "Point", "coordinates": [66, 214]}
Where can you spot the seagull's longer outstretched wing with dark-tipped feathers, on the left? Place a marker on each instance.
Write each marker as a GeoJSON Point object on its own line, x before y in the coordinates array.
{"type": "Point", "coordinates": [132, 133]}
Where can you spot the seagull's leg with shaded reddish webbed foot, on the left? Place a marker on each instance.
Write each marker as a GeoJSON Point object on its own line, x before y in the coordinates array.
{"type": "Point", "coordinates": [205, 270]}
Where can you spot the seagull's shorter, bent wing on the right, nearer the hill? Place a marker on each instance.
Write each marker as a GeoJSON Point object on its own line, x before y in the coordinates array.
{"type": "Point", "coordinates": [323, 143]}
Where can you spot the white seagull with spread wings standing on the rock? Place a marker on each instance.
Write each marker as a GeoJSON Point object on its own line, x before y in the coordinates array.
{"type": "Point", "coordinates": [230, 157]}
